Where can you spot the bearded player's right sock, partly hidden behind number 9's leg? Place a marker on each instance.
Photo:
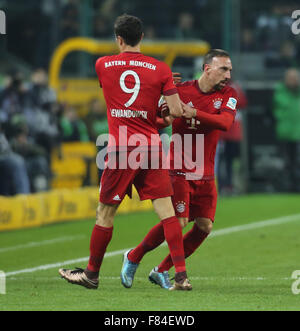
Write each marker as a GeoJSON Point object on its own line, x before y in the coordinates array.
{"type": "Point", "coordinates": [191, 241]}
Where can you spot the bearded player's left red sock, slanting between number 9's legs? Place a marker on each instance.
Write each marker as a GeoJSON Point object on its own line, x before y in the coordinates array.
{"type": "Point", "coordinates": [153, 239]}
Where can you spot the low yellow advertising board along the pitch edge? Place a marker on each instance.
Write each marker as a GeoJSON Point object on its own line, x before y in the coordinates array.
{"type": "Point", "coordinates": [25, 211]}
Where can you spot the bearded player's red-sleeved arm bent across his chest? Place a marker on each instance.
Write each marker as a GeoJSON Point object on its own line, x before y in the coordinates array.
{"type": "Point", "coordinates": [222, 121]}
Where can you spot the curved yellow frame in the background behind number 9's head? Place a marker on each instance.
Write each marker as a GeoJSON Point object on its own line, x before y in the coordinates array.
{"type": "Point", "coordinates": [81, 91]}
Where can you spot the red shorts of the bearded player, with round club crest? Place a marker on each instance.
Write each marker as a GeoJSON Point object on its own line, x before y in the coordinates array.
{"type": "Point", "coordinates": [194, 198]}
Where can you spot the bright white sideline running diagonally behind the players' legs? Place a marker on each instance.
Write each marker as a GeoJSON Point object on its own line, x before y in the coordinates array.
{"type": "Point", "coordinates": [216, 233]}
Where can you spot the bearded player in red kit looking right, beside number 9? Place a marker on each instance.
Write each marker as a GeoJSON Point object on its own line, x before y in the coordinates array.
{"type": "Point", "coordinates": [209, 106]}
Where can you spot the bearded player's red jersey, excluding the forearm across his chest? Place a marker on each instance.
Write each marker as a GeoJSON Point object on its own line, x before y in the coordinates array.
{"type": "Point", "coordinates": [215, 102]}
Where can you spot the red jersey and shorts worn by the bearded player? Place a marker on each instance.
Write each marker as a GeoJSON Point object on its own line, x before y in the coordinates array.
{"type": "Point", "coordinates": [194, 196]}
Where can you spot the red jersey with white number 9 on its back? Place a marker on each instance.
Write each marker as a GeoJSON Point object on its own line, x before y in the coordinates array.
{"type": "Point", "coordinates": [132, 84]}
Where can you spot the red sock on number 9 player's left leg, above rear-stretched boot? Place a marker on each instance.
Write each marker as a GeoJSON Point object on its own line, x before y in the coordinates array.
{"type": "Point", "coordinates": [100, 239]}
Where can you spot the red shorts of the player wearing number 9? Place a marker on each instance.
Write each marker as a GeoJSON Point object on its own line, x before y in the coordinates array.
{"type": "Point", "coordinates": [150, 184]}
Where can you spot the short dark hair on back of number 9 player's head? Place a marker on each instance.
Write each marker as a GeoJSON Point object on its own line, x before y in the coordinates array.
{"type": "Point", "coordinates": [130, 28]}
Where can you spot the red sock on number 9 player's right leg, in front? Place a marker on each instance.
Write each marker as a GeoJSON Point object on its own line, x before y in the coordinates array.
{"type": "Point", "coordinates": [173, 236]}
